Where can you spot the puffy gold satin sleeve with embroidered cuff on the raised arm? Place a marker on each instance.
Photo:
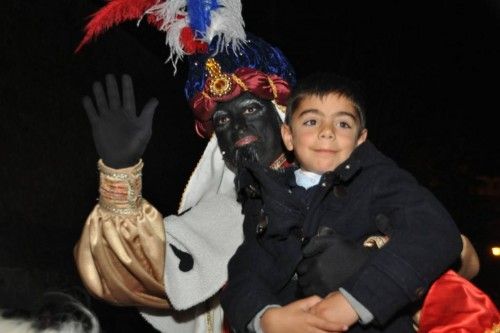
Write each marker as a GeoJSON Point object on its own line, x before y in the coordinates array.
{"type": "Point", "coordinates": [121, 253]}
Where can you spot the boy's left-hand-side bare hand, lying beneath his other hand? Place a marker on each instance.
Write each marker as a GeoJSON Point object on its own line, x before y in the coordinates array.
{"type": "Point", "coordinates": [296, 317]}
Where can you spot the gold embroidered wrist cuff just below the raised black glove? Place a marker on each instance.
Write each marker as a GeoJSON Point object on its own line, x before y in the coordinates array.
{"type": "Point", "coordinates": [120, 190]}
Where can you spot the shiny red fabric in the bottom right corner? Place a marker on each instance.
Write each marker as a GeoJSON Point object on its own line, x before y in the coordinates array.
{"type": "Point", "coordinates": [454, 304]}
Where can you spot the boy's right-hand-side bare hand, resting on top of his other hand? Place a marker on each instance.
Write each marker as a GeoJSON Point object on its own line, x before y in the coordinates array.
{"type": "Point", "coordinates": [335, 308]}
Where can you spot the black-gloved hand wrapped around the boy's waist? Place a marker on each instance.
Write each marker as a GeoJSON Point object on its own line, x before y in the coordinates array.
{"type": "Point", "coordinates": [329, 259]}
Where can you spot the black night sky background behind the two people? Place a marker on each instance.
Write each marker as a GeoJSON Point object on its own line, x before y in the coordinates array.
{"type": "Point", "coordinates": [431, 69]}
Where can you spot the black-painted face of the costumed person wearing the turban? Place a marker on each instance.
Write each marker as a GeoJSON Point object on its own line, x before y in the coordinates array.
{"type": "Point", "coordinates": [248, 128]}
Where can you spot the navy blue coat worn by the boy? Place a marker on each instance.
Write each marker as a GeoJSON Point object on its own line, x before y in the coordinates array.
{"type": "Point", "coordinates": [365, 188]}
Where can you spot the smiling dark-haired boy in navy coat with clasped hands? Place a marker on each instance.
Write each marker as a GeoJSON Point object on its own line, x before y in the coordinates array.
{"type": "Point", "coordinates": [344, 183]}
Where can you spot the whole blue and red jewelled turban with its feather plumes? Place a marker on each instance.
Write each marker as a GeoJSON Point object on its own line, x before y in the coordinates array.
{"type": "Point", "coordinates": [223, 60]}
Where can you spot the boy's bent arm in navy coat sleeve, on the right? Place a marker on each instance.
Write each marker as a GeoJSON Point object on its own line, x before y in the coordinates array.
{"type": "Point", "coordinates": [424, 244]}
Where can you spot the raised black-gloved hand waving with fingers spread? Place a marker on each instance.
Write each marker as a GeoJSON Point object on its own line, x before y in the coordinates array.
{"type": "Point", "coordinates": [120, 136]}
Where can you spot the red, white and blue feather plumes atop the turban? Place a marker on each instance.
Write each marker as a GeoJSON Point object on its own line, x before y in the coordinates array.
{"type": "Point", "coordinates": [190, 25]}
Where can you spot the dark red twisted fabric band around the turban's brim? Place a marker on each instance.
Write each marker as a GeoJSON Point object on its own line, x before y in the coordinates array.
{"type": "Point", "coordinates": [257, 82]}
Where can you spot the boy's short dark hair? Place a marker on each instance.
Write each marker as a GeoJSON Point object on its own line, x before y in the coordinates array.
{"type": "Point", "coordinates": [323, 84]}
